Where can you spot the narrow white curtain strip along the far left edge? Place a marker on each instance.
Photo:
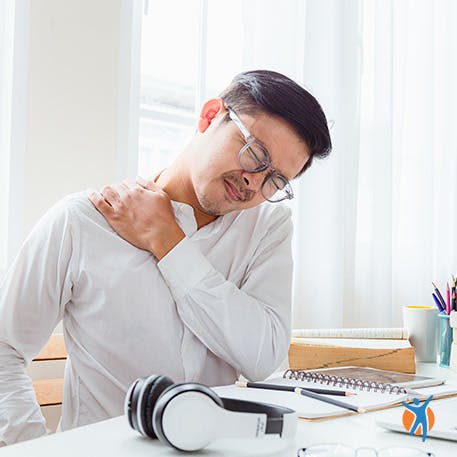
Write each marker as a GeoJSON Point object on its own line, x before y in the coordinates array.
{"type": "Point", "coordinates": [6, 71]}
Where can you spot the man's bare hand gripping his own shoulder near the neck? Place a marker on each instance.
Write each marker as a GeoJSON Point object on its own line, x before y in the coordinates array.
{"type": "Point", "coordinates": [141, 213]}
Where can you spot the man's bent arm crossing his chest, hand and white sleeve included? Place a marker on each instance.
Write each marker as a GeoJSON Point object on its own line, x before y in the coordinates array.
{"type": "Point", "coordinates": [248, 326]}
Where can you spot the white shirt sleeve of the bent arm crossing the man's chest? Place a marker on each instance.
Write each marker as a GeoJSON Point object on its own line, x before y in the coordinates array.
{"type": "Point", "coordinates": [248, 326]}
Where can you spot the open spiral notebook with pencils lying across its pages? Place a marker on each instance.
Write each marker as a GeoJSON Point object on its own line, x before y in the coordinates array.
{"type": "Point", "coordinates": [375, 389]}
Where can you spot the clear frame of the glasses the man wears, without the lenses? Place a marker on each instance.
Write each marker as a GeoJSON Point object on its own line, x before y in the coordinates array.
{"type": "Point", "coordinates": [266, 164]}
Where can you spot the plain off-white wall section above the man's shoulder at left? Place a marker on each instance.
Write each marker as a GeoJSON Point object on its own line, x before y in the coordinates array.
{"type": "Point", "coordinates": [71, 108]}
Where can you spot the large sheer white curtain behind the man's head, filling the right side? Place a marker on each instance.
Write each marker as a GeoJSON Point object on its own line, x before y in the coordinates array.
{"type": "Point", "coordinates": [376, 222]}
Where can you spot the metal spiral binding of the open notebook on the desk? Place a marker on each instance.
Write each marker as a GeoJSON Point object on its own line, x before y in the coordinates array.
{"type": "Point", "coordinates": [339, 381]}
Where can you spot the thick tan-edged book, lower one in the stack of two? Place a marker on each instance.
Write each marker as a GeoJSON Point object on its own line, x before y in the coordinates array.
{"type": "Point", "coordinates": [384, 354]}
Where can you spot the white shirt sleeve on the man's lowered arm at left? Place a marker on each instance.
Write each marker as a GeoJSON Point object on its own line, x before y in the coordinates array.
{"type": "Point", "coordinates": [32, 299]}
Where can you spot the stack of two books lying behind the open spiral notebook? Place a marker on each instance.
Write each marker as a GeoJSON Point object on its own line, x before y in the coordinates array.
{"type": "Point", "coordinates": [382, 348]}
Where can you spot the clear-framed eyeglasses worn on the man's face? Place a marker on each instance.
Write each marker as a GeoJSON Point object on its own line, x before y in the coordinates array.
{"type": "Point", "coordinates": [254, 158]}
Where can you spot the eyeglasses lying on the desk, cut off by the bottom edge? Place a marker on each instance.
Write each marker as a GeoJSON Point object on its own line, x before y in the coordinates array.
{"type": "Point", "coordinates": [341, 450]}
